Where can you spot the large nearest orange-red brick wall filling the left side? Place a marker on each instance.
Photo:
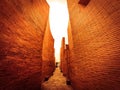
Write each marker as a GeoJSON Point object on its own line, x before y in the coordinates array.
{"type": "Point", "coordinates": [22, 26]}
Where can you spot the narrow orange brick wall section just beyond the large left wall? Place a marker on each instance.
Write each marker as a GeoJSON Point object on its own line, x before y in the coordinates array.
{"type": "Point", "coordinates": [48, 59]}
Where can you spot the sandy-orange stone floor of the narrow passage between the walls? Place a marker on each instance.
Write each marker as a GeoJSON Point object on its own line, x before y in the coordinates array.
{"type": "Point", "coordinates": [56, 82]}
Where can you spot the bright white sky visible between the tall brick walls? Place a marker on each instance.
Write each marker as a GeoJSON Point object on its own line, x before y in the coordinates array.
{"type": "Point", "coordinates": [58, 23]}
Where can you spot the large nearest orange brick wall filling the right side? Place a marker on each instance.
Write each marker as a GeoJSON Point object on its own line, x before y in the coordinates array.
{"type": "Point", "coordinates": [94, 43]}
